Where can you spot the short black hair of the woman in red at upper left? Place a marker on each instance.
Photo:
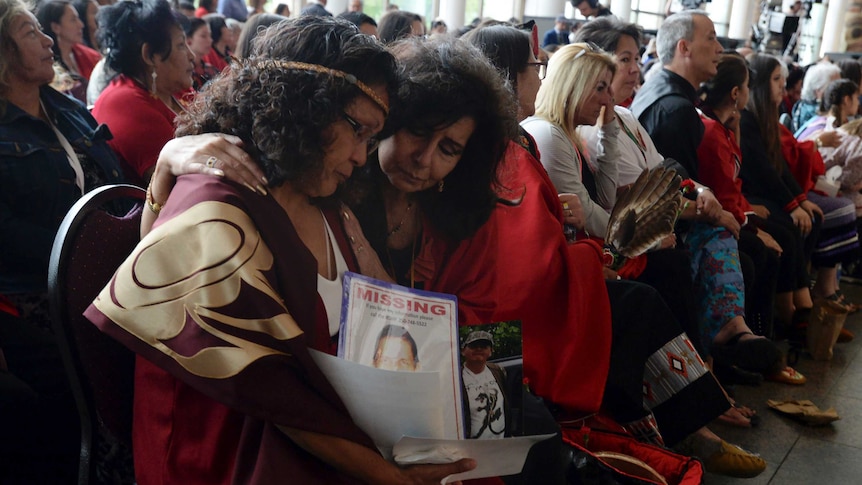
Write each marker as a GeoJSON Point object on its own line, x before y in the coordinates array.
{"type": "Point", "coordinates": [134, 23]}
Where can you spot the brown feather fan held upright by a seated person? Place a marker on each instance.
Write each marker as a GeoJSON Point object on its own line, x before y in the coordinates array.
{"type": "Point", "coordinates": [646, 213]}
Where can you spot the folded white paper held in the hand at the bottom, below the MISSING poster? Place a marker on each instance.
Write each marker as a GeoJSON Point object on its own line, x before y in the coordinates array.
{"type": "Point", "coordinates": [494, 458]}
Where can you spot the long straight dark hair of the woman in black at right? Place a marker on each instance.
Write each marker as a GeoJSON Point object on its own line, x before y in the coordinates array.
{"type": "Point", "coordinates": [763, 107]}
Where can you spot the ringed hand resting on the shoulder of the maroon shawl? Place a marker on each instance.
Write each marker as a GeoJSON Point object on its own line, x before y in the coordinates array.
{"type": "Point", "coordinates": [215, 154]}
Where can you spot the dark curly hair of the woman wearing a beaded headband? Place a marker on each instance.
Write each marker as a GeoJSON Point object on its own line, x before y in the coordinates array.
{"type": "Point", "coordinates": [281, 113]}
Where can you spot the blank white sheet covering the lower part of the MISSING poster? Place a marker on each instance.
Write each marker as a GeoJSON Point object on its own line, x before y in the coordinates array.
{"type": "Point", "coordinates": [387, 405]}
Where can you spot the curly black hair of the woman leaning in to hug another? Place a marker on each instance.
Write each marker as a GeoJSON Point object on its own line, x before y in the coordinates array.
{"type": "Point", "coordinates": [444, 80]}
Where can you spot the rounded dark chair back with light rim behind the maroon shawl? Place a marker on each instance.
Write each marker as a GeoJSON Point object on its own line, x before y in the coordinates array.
{"type": "Point", "coordinates": [90, 245]}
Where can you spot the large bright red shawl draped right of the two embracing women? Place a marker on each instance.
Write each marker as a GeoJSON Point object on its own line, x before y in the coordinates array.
{"type": "Point", "coordinates": [520, 267]}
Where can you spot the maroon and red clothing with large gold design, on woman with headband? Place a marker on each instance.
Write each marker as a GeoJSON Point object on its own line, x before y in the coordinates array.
{"type": "Point", "coordinates": [222, 334]}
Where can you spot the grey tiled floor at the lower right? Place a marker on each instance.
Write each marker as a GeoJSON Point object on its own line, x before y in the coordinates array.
{"type": "Point", "coordinates": [800, 454]}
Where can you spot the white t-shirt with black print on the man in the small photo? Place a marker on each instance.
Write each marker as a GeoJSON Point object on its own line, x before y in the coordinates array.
{"type": "Point", "coordinates": [485, 401]}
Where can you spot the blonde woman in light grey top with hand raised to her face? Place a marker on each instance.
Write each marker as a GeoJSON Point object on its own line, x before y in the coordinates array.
{"type": "Point", "coordinates": [577, 91]}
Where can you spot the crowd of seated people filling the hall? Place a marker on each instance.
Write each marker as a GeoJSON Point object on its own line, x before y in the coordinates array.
{"type": "Point", "coordinates": [427, 162]}
